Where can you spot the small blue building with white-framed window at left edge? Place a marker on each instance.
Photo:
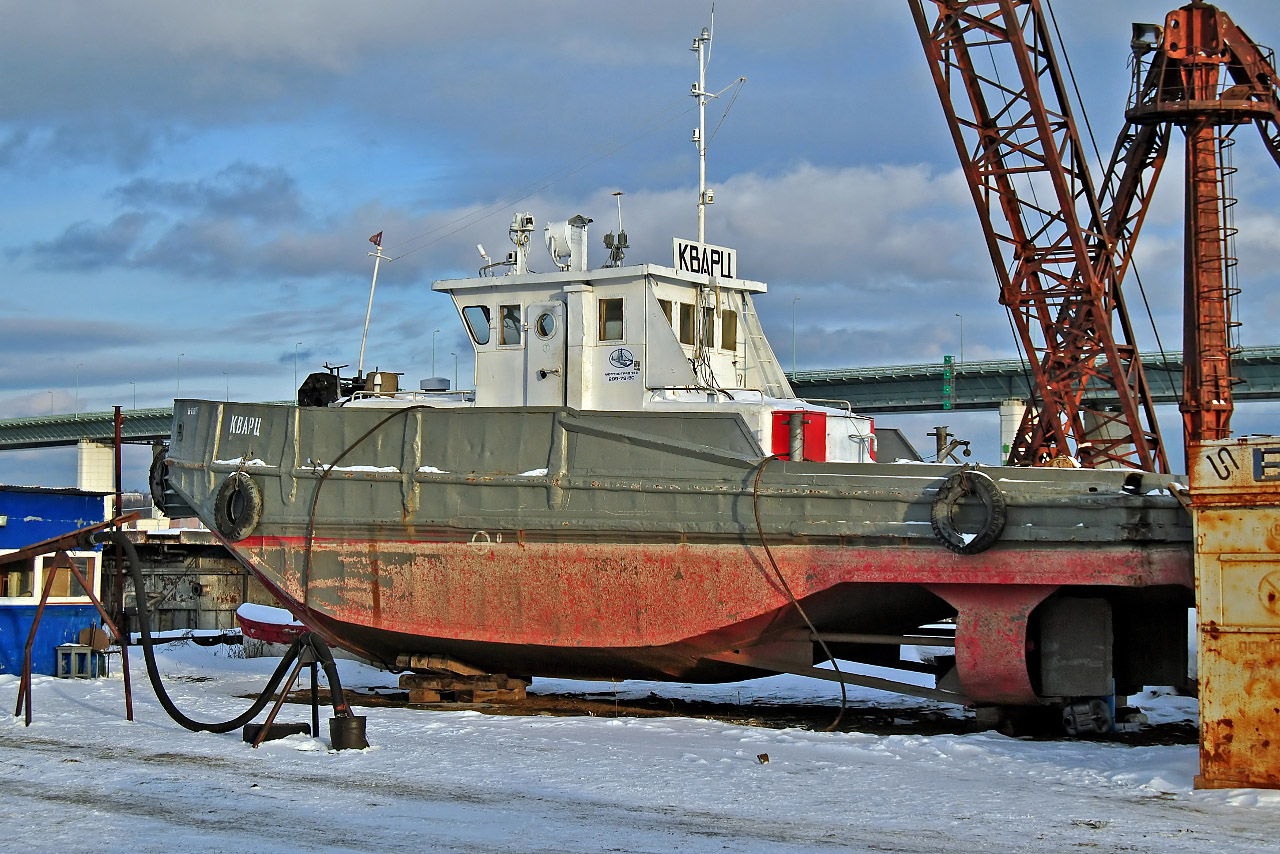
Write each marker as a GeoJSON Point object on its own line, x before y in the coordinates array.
{"type": "Point", "coordinates": [31, 515]}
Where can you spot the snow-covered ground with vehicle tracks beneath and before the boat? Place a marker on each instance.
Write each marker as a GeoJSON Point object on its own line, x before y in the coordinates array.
{"type": "Point", "coordinates": [81, 779]}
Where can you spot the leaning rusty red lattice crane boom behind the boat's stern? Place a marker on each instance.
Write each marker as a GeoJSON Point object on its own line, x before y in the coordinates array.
{"type": "Point", "coordinates": [1055, 261]}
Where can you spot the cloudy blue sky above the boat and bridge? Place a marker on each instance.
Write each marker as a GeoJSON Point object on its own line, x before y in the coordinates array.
{"type": "Point", "coordinates": [189, 189]}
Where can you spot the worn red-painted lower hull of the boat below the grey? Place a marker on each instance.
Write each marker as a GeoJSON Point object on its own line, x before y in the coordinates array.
{"type": "Point", "coordinates": [691, 611]}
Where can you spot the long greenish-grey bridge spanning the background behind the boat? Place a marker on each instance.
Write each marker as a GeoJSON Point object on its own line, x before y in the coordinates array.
{"type": "Point", "coordinates": [899, 389]}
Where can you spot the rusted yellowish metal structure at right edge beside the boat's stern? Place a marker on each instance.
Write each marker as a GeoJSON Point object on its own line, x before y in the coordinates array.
{"type": "Point", "coordinates": [1236, 499]}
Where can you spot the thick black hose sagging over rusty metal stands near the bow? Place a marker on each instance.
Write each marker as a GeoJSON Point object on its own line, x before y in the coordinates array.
{"type": "Point", "coordinates": [319, 649]}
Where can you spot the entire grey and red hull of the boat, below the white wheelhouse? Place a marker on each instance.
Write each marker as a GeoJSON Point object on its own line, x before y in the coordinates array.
{"type": "Point", "coordinates": [625, 546]}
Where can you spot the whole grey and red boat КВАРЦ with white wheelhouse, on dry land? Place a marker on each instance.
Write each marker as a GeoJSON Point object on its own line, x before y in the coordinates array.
{"type": "Point", "coordinates": [633, 491]}
